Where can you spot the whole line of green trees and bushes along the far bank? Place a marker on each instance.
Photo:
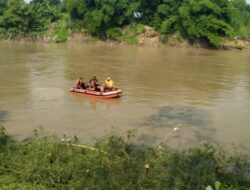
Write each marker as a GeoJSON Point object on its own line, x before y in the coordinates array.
{"type": "Point", "coordinates": [192, 19]}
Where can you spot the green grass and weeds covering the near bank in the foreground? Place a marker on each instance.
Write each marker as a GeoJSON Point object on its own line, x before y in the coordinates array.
{"type": "Point", "coordinates": [116, 163]}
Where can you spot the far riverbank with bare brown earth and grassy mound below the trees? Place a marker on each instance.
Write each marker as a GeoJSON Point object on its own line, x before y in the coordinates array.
{"type": "Point", "coordinates": [137, 36]}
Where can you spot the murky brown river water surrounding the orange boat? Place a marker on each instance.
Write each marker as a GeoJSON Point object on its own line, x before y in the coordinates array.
{"type": "Point", "coordinates": [203, 93]}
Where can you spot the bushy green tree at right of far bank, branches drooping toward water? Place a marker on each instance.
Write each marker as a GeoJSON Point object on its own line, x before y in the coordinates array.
{"type": "Point", "coordinates": [205, 19]}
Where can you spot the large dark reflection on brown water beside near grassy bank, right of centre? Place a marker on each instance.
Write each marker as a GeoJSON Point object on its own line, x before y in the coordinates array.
{"type": "Point", "coordinates": [192, 124]}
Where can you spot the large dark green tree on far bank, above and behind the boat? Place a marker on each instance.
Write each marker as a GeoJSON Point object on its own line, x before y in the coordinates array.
{"type": "Point", "coordinates": [98, 16]}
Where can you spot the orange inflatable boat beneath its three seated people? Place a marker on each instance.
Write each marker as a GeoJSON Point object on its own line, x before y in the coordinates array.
{"type": "Point", "coordinates": [107, 94]}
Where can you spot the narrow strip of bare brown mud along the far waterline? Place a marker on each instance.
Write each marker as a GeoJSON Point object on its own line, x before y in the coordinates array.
{"type": "Point", "coordinates": [148, 39]}
